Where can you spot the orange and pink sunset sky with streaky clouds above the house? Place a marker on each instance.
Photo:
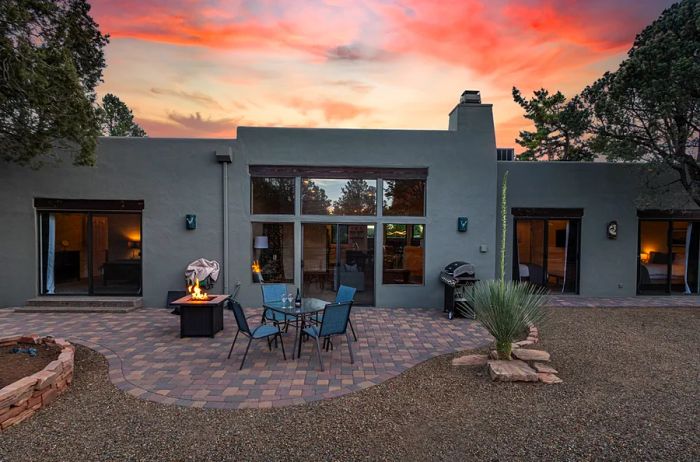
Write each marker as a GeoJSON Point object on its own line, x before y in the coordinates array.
{"type": "Point", "coordinates": [201, 68]}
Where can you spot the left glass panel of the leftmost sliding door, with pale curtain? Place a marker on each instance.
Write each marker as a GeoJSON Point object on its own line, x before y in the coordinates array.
{"type": "Point", "coordinates": [64, 255]}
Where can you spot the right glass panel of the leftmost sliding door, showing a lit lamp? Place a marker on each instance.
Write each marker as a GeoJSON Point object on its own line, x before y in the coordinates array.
{"type": "Point", "coordinates": [116, 253]}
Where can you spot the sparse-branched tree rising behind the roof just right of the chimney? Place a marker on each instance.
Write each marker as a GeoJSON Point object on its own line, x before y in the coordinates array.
{"type": "Point", "coordinates": [560, 127]}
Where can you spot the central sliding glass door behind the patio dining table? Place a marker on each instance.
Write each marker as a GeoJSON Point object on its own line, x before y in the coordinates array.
{"type": "Point", "coordinates": [335, 255]}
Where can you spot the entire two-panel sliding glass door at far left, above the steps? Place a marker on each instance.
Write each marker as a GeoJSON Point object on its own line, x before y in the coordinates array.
{"type": "Point", "coordinates": [86, 253]}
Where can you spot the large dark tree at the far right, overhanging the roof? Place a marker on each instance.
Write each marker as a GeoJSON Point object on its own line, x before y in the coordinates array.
{"type": "Point", "coordinates": [649, 109]}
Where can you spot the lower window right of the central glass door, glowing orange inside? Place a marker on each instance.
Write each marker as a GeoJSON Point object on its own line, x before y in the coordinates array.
{"type": "Point", "coordinates": [404, 254]}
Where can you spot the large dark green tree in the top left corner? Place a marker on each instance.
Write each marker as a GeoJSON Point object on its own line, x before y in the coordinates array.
{"type": "Point", "coordinates": [51, 59]}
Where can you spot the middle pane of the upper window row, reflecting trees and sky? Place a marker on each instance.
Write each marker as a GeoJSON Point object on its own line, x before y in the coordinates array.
{"type": "Point", "coordinates": [338, 197]}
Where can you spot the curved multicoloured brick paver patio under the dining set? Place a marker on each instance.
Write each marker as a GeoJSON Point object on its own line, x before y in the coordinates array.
{"type": "Point", "coordinates": [148, 359]}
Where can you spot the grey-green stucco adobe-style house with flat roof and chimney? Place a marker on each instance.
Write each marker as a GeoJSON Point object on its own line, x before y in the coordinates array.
{"type": "Point", "coordinates": [374, 209]}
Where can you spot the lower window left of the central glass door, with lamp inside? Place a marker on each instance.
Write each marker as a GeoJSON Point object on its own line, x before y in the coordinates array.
{"type": "Point", "coordinates": [273, 249]}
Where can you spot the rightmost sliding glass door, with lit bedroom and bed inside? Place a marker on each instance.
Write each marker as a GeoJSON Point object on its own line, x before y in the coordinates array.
{"type": "Point", "coordinates": [668, 257]}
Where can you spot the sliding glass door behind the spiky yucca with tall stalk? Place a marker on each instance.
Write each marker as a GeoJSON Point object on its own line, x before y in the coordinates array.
{"type": "Point", "coordinates": [547, 253]}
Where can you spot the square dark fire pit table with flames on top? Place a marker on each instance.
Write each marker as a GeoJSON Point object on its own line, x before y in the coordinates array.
{"type": "Point", "coordinates": [201, 318]}
